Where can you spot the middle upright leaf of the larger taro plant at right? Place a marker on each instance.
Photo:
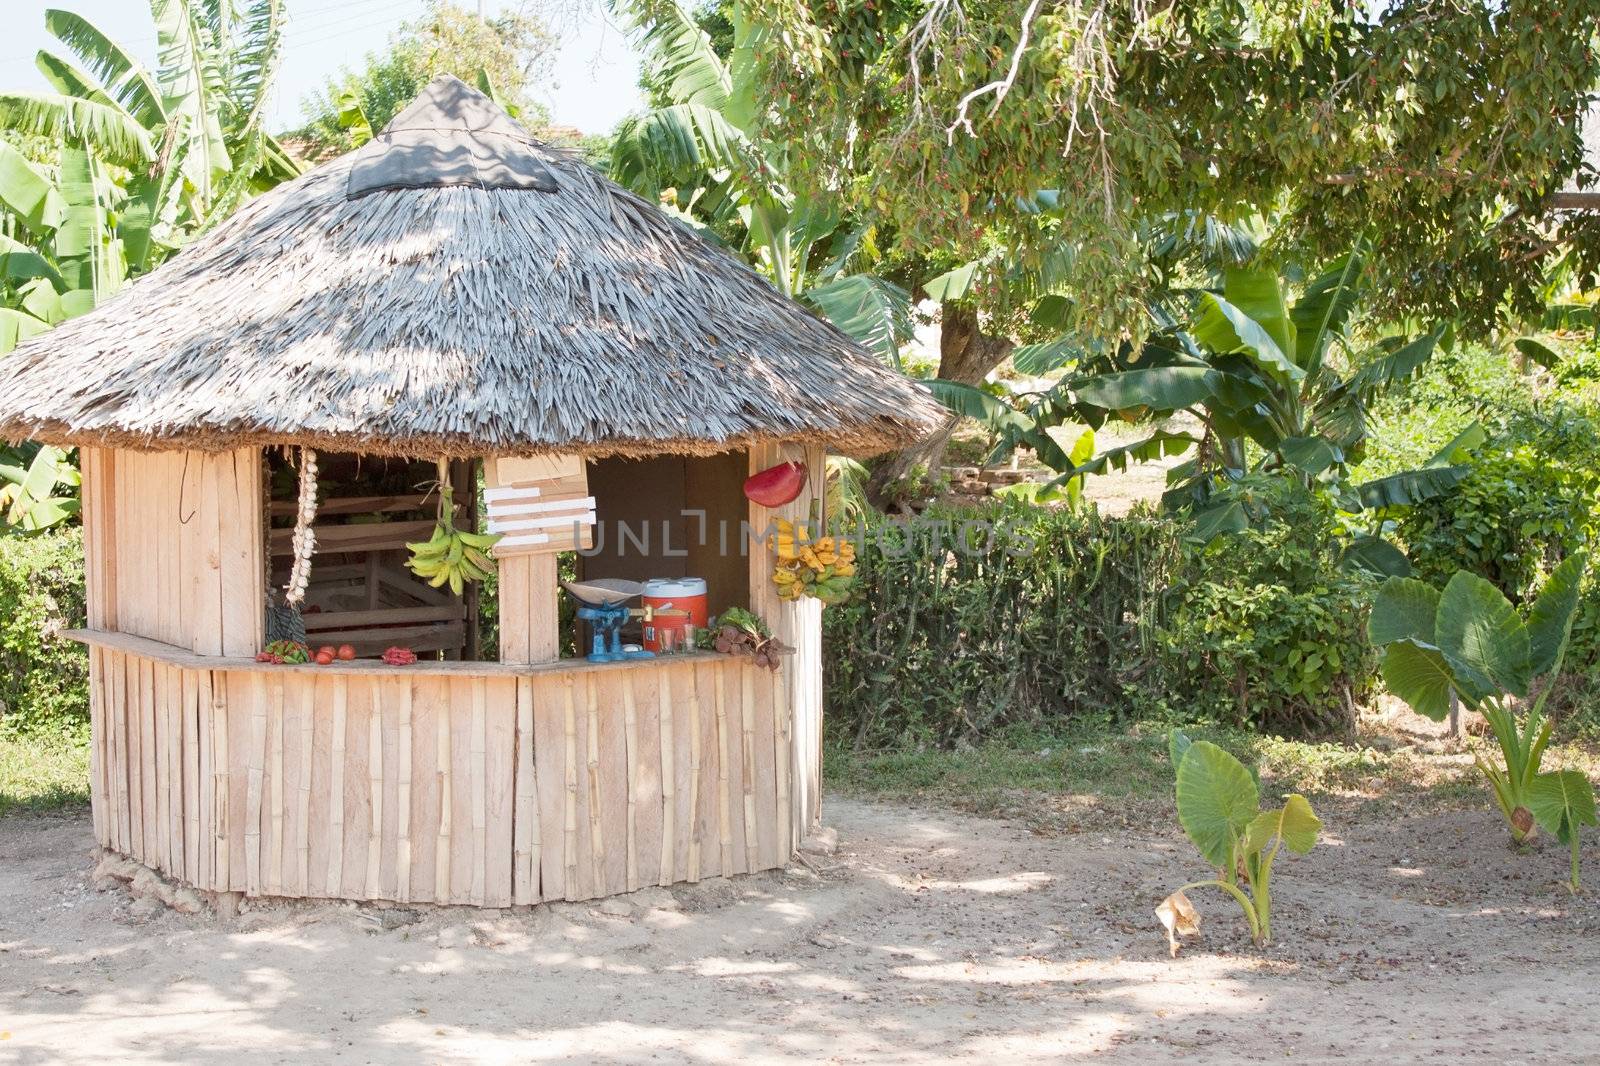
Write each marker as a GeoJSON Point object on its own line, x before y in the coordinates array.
{"type": "Point", "coordinates": [1482, 639]}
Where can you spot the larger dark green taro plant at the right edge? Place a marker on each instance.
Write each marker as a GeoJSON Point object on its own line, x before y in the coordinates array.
{"type": "Point", "coordinates": [1470, 643]}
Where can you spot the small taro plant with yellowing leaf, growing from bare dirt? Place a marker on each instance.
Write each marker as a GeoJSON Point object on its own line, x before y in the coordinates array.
{"type": "Point", "coordinates": [1220, 809]}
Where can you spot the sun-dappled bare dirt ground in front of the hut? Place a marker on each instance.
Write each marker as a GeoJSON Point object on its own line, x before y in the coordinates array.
{"type": "Point", "coordinates": [929, 937]}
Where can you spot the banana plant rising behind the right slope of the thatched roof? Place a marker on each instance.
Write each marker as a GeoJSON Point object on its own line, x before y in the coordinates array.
{"type": "Point", "coordinates": [702, 151]}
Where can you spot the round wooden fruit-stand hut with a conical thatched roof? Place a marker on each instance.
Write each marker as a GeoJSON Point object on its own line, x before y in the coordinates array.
{"type": "Point", "coordinates": [450, 291]}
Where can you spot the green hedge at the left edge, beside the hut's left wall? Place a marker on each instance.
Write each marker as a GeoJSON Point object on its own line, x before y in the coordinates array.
{"type": "Point", "coordinates": [44, 678]}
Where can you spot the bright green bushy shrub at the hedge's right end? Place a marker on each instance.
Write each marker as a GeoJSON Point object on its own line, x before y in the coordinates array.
{"type": "Point", "coordinates": [1265, 630]}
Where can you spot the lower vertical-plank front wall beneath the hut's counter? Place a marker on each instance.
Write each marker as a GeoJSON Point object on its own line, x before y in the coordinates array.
{"type": "Point", "coordinates": [487, 791]}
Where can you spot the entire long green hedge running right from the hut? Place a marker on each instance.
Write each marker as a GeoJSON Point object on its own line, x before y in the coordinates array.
{"type": "Point", "coordinates": [1073, 614]}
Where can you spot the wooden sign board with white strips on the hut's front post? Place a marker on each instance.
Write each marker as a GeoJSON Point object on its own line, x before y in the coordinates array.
{"type": "Point", "coordinates": [540, 505]}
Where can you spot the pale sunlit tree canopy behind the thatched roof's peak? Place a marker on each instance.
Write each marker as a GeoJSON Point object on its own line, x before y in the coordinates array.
{"type": "Point", "coordinates": [514, 50]}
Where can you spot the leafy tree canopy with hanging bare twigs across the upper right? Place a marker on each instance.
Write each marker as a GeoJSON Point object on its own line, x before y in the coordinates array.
{"type": "Point", "coordinates": [1062, 130]}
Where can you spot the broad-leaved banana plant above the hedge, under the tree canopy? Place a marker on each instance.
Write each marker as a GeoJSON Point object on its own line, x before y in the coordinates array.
{"type": "Point", "coordinates": [1252, 369]}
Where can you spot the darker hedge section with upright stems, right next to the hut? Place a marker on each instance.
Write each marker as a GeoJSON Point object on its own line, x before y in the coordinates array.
{"type": "Point", "coordinates": [1049, 620]}
